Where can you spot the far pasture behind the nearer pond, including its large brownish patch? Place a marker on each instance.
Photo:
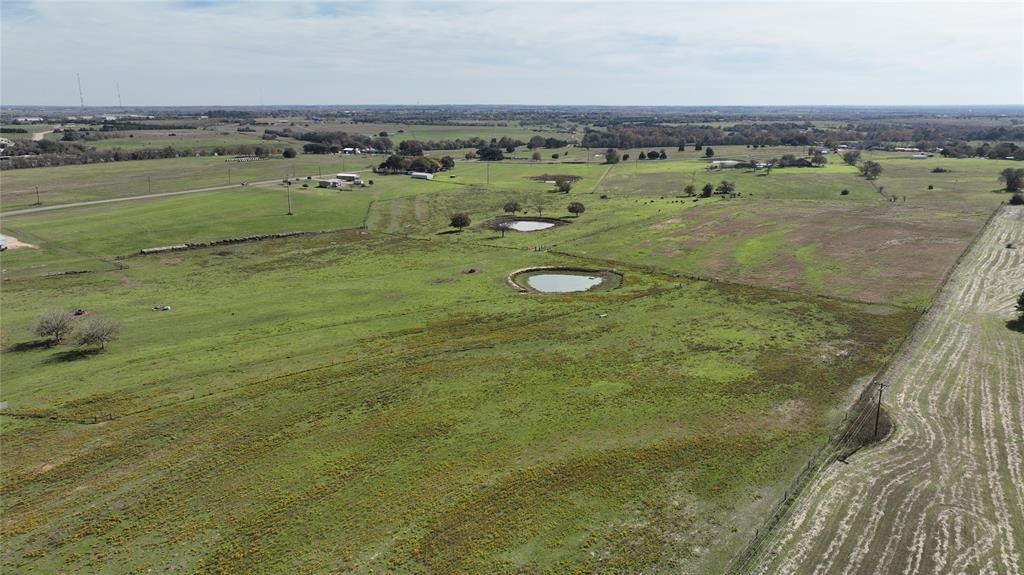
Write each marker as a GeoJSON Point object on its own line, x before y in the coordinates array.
{"type": "Point", "coordinates": [791, 230]}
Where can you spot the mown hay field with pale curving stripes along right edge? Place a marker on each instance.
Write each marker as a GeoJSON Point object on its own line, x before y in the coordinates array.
{"type": "Point", "coordinates": [946, 495]}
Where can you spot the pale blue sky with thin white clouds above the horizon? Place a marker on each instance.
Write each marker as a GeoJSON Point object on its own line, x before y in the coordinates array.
{"type": "Point", "coordinates": [518, 53]}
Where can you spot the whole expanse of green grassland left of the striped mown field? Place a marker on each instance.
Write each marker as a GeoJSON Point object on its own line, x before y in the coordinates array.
{"type": "Point", "coordinates": [360, 402]}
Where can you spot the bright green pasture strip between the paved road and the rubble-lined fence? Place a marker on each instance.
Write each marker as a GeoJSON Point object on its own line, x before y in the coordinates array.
{"type": "Point", "coordinates": [87, 238]}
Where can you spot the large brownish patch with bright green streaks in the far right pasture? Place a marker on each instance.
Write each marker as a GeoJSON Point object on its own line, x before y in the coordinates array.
{"type": "Point", "coordinates": [885, 254]}
